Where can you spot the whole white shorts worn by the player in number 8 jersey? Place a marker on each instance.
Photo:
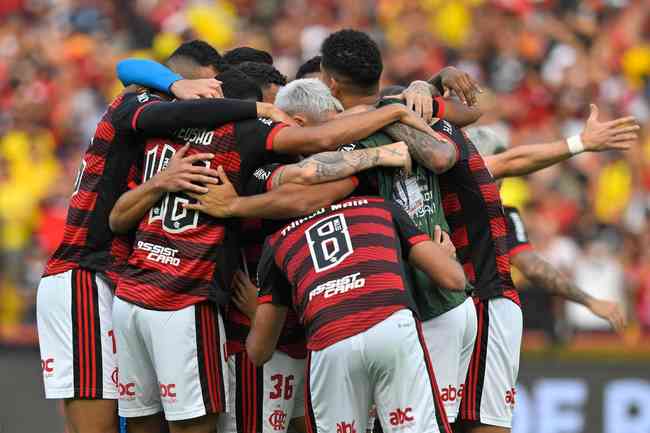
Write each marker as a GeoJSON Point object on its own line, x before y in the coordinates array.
{"type": "Point", "coordinates": [387, 365]}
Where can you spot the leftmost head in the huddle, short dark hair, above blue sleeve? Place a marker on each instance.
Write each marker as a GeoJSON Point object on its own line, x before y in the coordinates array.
{"type": "Point", "coordinates": [195, 59]}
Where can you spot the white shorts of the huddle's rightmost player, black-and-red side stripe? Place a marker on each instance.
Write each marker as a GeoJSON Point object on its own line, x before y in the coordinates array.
{"type": "Point", "coordinates": [489, 395]}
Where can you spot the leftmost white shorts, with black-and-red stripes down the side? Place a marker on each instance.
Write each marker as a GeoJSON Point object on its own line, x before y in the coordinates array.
{"type": "Point", "coordinates": [74, 318]}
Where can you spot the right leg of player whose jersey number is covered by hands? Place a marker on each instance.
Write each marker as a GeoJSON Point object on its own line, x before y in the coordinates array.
{"type": "Point", "coordinates": [187, 350]}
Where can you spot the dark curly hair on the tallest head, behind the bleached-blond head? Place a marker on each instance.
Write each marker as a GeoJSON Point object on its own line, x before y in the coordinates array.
{"type": "Point", "coordinates": [353, 58]}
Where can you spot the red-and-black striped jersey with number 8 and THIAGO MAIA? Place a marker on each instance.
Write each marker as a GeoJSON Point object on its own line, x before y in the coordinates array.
{"type": "Point", "coordinates": [341, 268]}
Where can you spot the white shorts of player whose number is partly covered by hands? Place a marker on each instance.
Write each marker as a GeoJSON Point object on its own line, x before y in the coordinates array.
{"type": "Point", "coordinates": [171, 361]}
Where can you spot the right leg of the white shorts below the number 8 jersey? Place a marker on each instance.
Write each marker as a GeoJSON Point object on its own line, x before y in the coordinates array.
{"type": "Point", "coordinates": [399, 361]}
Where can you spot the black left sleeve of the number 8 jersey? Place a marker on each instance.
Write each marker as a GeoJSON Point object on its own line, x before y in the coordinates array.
{"type": "Point", "coordinates": [274, 287]}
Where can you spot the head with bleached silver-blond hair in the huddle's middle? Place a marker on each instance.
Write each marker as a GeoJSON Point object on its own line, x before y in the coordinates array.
{"type": "Point", "coordinates": [308, 101]}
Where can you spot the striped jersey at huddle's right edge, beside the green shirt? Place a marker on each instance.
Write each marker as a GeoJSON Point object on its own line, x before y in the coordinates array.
{"type": "Point", "coordinates": [472, 205]}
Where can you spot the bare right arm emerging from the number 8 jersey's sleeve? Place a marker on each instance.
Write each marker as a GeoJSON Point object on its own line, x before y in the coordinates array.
{"type": "Point", "coordinates": [438, 264]}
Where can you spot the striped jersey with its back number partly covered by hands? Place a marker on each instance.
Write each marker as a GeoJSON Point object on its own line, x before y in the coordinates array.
{"type": "Point", "coordinates": [182, 257]}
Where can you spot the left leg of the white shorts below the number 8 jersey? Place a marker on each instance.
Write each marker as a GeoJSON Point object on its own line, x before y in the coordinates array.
{"type": "Point", "coordinates": [337, 388]}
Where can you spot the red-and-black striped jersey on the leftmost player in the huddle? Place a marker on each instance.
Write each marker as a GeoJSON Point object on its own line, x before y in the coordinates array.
{"type": "Point", "coordinates": [107, 167]}
